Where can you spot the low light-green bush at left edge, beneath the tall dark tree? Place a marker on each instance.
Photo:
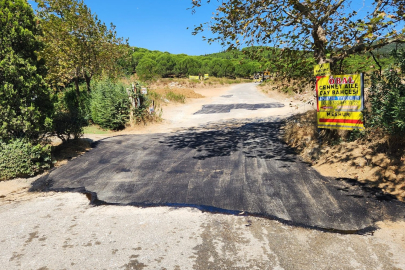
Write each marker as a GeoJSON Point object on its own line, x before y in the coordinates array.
{"type": "Point", "coordinates": [19, 157]}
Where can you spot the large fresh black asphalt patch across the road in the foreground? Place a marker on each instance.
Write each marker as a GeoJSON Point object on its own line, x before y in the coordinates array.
{"type": "Point", "coordinates": [233, 168]}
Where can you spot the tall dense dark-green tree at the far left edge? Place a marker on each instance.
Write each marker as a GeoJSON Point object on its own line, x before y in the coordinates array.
{"type": "Point", "coordinates": [25, 99]}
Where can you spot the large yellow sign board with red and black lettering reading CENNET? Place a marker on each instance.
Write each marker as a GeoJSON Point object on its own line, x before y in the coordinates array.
{"type": "Point", "coordinates": [340, 100]}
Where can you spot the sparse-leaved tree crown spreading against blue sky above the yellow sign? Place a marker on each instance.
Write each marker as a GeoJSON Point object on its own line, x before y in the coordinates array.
{"type": "Point", "coordinates": [329, 28]}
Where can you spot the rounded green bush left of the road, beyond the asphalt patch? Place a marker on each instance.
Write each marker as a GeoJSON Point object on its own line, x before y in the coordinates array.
{"type": "Point", "coordinates": [109, 104]}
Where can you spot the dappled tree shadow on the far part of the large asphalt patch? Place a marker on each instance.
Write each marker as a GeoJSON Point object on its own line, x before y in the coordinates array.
{"type": "Point", "coordinates": [254, 140]}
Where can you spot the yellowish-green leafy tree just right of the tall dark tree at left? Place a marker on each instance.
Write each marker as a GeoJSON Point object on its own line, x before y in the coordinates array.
{"type": "Point", "coordinates": [78, 44]}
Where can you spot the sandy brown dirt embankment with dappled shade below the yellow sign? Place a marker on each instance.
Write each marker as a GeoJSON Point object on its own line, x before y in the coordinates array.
{"type": "Point", "coordinates": [372, 160]}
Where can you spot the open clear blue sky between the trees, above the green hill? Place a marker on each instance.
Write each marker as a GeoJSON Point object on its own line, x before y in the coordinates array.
{"type": "Point", "coordinates": [157, 24]}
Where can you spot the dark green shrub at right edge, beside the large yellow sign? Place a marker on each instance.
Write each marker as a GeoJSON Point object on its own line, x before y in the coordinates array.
{"type": "Point", "coordinates": [387, 99]}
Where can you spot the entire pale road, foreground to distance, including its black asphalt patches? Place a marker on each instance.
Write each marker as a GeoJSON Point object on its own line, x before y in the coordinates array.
{"type": "Point", "coordinates": [215, 164]}
